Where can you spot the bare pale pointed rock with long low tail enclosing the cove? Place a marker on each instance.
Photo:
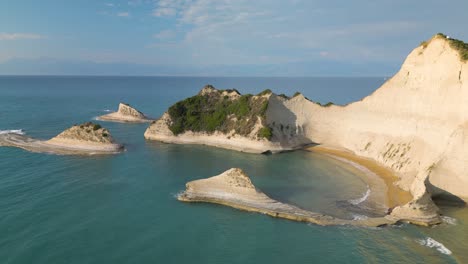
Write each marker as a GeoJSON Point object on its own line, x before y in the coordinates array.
{"type": "Point", "coordinates": [233, 188]}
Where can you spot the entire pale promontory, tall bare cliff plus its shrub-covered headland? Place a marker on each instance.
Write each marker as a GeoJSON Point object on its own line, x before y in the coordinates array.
{"type": "Point", "coordinates": [415, 125]}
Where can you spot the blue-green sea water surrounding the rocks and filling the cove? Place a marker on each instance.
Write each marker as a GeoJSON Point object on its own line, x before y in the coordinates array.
{"type": "Point", "coordinates": [123, 208]}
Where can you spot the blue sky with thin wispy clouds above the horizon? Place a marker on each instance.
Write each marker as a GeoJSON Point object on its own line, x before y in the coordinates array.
{"type": "Point", "coordinates": [219, 37]}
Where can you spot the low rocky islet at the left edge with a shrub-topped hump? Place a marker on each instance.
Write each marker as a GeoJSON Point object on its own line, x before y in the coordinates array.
{"type": "Point", "coordinates": [87, 138]}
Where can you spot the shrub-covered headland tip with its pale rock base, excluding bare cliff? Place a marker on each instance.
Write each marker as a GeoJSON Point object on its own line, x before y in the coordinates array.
{"type": "Point", "coordinates": [222, 118]}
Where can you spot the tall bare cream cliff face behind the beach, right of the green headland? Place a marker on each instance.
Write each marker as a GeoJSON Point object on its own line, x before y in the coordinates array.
{"type": "Point", "coordinates": [416, 123]}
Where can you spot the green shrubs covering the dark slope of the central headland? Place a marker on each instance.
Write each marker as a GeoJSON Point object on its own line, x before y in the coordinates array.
{"type": "Point", "coordinates": [219, 110]}
